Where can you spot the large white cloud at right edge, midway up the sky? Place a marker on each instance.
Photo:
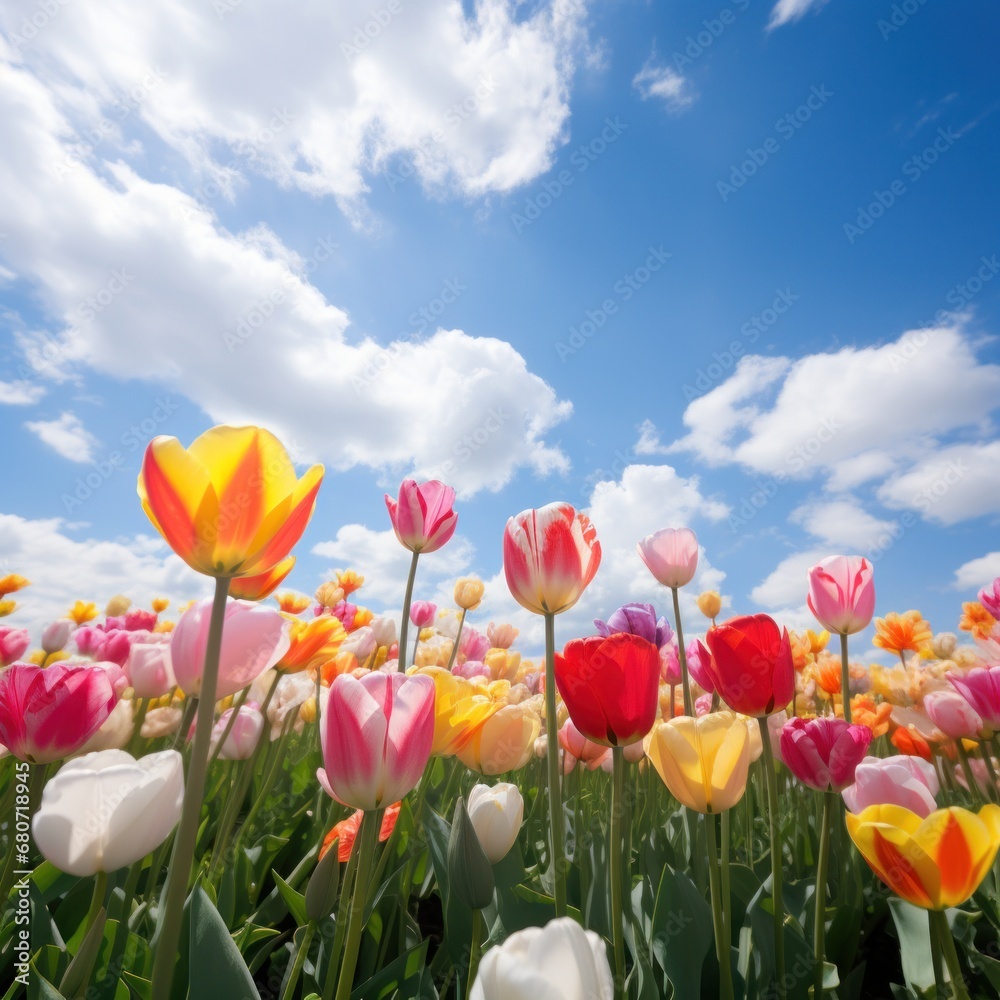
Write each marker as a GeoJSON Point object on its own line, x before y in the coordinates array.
{"type": "Point", "coordinates": [860, 414]}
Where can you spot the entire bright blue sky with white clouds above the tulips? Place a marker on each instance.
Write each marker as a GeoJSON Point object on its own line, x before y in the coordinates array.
{"type": "Point", "coordinates": [727, 266]}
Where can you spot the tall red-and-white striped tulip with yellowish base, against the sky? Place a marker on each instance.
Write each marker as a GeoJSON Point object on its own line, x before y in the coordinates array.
{"type": "Point", "coordinates": [550, 555]}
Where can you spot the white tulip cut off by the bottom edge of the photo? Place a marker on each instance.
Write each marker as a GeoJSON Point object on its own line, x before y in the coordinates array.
{"type": "Point", "coordinates": [560, 961]}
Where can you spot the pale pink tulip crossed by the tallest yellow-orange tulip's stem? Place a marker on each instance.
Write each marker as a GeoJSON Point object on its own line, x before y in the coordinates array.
{"type": "Point", "coordinates": [253, 639]}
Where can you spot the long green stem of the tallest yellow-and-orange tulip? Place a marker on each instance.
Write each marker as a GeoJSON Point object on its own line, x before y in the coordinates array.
{"type": "Point", "coordinates": [175, 890]}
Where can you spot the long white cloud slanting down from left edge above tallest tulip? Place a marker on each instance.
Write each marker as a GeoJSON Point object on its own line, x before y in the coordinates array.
{"type": "Point", "coordinates": [110, 253]}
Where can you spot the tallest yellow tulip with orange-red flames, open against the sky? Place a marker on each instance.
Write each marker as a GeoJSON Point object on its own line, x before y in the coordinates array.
{"type": "Point", "coordinates": [231, 505]}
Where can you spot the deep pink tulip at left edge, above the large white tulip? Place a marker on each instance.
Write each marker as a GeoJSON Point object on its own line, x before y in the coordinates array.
{"type": "Point", "coordinates": [49, 713]}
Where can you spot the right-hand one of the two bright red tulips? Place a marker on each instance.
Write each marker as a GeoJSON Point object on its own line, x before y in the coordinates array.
{"type": "Point", "coordinates": [752, 664]}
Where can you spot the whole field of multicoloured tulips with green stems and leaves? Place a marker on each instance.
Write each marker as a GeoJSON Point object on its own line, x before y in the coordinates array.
{"type": "Point", "coordinates": [267, 795]}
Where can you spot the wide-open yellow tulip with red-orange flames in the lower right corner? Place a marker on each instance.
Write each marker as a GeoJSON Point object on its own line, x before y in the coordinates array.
{"type": "Point", "coordinates": [935, 862]}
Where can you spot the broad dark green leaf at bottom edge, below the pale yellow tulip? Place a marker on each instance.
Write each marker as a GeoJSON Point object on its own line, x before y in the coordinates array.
{"type": "Point", "coordinates": [682, 932]}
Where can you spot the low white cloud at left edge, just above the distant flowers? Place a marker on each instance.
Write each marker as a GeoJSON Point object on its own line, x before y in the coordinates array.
{"type": "Point", "coordinates": [63, 567]}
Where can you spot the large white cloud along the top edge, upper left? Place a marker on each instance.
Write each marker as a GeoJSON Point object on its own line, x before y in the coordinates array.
{"type": "Point", "coordinates": [319, 96]}
